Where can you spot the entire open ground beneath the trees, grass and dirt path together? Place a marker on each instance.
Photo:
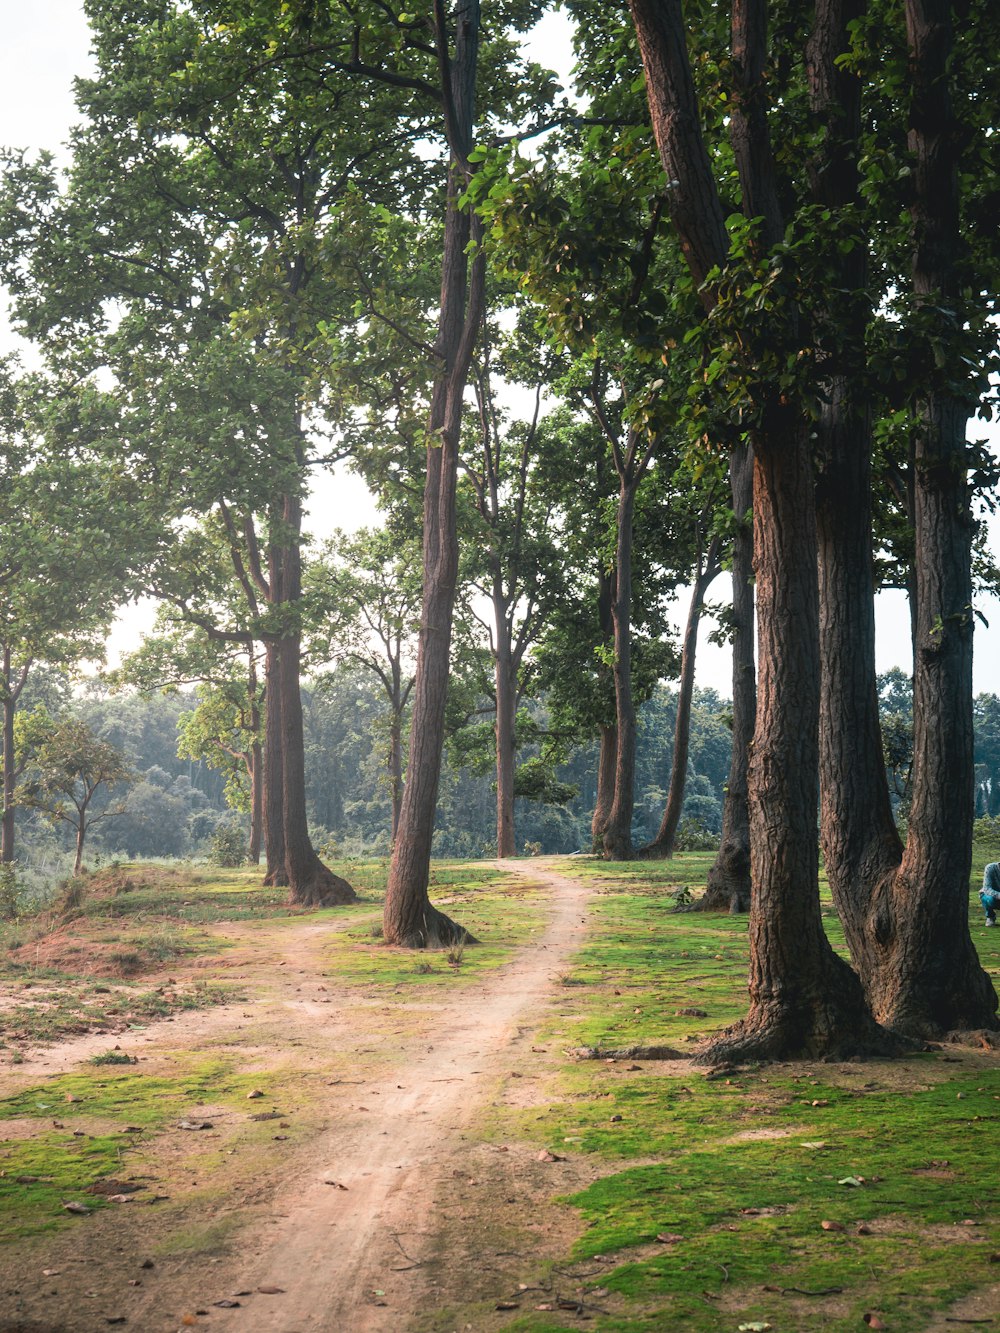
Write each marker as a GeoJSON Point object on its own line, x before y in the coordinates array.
{"type": "Point", "coordinates": [249, 1119]}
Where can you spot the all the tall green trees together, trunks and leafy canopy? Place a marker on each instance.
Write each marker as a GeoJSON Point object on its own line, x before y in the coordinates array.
{"type": "Point", "coordinates": [745, 275]}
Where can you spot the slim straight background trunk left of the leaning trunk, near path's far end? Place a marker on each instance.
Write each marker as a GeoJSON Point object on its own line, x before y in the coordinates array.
{"type": "Point", "coordinates": [618, 831]}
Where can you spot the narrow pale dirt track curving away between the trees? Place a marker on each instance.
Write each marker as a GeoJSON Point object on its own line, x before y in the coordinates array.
{"type": "Point", "coordinates": [337, 1248]}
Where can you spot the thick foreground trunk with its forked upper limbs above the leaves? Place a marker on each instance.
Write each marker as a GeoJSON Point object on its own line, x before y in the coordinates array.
{"type": "Point", "coordinates": [805, 1000]}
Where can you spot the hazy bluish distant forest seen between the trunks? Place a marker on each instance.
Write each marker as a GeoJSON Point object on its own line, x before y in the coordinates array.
{"type": "Point", "coordinates": [175, 802]}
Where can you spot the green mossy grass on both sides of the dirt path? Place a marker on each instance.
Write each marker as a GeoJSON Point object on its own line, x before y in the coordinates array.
{"type": "Point", "coordinates": [803, 1198]}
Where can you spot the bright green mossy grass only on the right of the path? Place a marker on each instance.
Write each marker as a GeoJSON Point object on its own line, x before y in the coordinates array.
{"type": "Point", "coordinates": [742, 1171]}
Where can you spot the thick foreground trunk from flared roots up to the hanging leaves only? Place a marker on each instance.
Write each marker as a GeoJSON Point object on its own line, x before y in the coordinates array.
{"type": "Point", "coordinates": [805, 1000]}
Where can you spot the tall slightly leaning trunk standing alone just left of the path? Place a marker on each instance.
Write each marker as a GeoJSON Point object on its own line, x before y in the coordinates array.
{"type": "Point", "coordinates": [409, 916]}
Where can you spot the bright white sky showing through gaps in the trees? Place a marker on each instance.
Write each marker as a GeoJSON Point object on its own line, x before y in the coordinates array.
{"type": "Point", "coordinates": [46, 46]}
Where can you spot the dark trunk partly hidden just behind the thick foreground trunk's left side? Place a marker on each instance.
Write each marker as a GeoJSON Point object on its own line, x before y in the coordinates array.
{"type": "Point", "coordinates": [730, 879]}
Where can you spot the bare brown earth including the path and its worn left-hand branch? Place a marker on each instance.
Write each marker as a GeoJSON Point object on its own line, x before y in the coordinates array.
{"type": "Point", "coordinates": [373, 1204]}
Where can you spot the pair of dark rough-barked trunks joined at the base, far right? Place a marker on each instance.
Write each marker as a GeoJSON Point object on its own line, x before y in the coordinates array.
{"type": "Point", "coordinates": [906, 915]}
